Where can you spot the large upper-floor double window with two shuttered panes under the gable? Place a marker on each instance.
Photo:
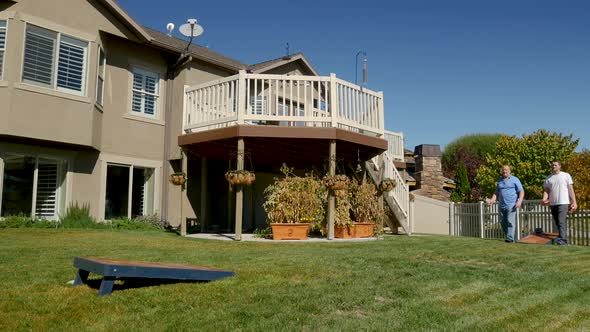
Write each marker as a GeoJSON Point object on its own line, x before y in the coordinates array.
{"type": "Point", "coordinates": [54, 60]}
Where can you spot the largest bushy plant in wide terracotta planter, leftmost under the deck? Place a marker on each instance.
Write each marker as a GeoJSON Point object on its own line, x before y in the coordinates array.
{"type": "Point", "coordinates": [292, 204]}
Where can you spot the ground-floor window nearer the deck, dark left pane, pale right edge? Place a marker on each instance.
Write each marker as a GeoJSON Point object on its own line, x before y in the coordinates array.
{"type": "Point", "coordinates": [124, 182]}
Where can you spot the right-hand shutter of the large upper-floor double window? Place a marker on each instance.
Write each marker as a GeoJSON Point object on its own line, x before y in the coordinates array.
{"type": "Point", "coordinates": [70, 70]}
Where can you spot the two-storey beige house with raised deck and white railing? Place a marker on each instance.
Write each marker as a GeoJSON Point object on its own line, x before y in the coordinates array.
{"type": "Point", "coordinates": [102, 111]}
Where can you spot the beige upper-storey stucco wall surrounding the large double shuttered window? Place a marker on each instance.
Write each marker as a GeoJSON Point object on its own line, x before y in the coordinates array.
{"type": "Point", "coordinates": [33, 111]}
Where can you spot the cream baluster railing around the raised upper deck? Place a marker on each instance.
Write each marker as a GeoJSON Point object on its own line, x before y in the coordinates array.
{"type": "Point", "coordinates": [283, 100]}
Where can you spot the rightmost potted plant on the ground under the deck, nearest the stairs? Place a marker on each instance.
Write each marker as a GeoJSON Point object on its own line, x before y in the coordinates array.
{"type": "Point", "coordinates": [365, 208]}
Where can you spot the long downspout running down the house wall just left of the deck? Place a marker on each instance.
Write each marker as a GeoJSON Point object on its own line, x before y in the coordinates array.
{"type": "Point", "coordinates": [170, 74]}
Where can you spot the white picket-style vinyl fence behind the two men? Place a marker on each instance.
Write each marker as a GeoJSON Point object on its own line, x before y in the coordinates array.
{"type": "Point", "coordinates": [481, 220]}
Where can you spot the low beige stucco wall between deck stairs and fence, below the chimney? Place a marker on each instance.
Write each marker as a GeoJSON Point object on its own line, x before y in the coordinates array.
{"type": "Point", "coordinates": [430, 216]}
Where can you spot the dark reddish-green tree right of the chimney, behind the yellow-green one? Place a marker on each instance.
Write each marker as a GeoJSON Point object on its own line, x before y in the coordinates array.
{"type": "Point", "coordinates": [471, 150]}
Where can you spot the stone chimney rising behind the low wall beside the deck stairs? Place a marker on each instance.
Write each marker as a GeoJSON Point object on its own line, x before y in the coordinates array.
{"type": "Point", "coordinates": [428, 172]}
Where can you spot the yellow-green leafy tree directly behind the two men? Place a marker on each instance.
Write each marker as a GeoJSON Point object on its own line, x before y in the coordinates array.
{"type": "Point", "coordinates": [529, 158]}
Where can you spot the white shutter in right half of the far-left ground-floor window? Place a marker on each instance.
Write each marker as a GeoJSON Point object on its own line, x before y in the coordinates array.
{"type": "Point", "coordinates": [47, 186]}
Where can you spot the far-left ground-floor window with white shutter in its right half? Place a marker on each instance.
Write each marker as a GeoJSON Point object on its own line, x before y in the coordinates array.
{"type": "Point", "coordinates": [33, 186]}
